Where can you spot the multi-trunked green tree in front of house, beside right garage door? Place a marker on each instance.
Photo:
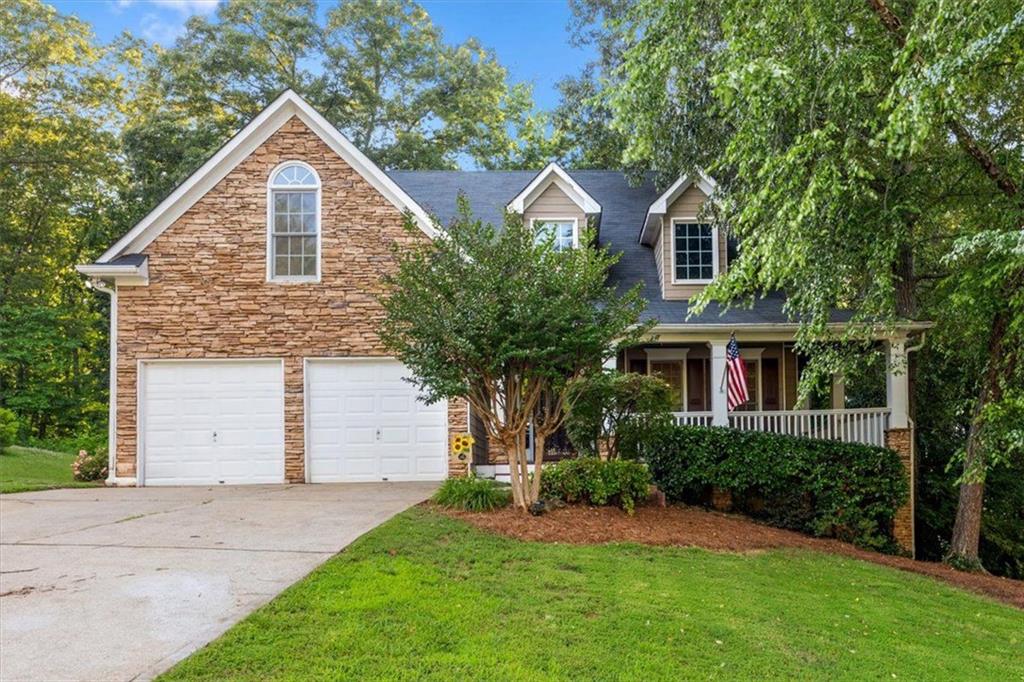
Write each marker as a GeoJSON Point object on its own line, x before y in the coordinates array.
{"type": "Point", "coordinates": [504, 321]}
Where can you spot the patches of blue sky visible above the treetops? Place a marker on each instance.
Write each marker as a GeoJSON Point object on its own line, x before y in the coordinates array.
{"type": "Point", "coordinates": [531, 37]}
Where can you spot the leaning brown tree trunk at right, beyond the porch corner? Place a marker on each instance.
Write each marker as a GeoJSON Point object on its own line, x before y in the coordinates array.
{"type": "Point", "coordinates": [967, 530]}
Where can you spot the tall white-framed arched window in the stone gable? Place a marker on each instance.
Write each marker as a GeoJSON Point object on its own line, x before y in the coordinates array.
{"type": "Point", "coordinates": [293, 249]}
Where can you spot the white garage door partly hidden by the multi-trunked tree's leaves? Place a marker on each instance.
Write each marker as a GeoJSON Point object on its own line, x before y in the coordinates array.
{"type": "Point", "coordinates": [367, 424]}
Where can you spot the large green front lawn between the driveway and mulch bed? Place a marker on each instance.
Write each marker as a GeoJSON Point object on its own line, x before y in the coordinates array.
{"type": "Point", "coordinates": [428, 598]}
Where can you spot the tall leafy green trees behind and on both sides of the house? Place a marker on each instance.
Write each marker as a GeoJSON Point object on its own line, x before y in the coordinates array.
{"type": "Point", "coordinates": [871, 157]}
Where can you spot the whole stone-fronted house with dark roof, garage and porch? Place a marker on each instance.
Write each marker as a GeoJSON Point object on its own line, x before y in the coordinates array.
{"type": "Point", "coordinates": [244, 345]}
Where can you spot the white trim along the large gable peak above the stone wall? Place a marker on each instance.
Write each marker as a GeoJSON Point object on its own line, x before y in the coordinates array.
{"type": "Point", "coordinates": [244, 143]}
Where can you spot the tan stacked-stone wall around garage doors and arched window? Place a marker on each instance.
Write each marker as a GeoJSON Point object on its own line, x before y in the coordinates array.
{"type": "Point", "coordinates": [208, 295]}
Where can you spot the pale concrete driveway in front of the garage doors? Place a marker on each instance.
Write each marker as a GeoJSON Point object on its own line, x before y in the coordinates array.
{"type": "Point", "coordinates": [119, 584]}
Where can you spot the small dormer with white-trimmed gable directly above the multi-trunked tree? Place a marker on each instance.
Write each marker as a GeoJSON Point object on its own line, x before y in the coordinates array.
{"type": "Point", "coordinates": [554, 205]}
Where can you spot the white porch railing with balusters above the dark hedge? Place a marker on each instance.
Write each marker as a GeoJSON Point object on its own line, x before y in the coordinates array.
{"type": "Point", "coordinates": [864, 425]}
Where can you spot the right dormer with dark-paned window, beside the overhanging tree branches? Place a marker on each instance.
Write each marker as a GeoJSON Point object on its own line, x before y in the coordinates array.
{"type": "Point", "coordinates": [690, 251]}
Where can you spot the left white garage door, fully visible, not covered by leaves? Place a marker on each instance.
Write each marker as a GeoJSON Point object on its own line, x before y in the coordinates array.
{"type": "Point", "coordinates": [208, 422]}
